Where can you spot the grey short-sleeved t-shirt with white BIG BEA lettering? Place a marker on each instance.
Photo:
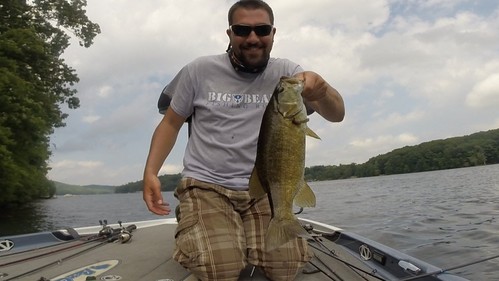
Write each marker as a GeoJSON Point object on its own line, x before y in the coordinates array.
{"type": "Point", "coordinates": [227, 107]}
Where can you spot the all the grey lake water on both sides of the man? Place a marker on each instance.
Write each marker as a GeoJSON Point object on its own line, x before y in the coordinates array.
{"type": "Point", "coordinates": [447, 218]}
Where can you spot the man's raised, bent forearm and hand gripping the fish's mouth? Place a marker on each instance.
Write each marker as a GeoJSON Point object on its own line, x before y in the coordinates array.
{"type": "Point", "coordinates": [322, 97]}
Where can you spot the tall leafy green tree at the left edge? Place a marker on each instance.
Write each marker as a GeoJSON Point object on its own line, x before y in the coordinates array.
{"type": "Point", "coordinates": [34, 82]}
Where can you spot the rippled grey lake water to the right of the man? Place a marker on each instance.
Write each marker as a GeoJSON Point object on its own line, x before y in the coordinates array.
{"type": "Point", "coordinates": [446, 217]}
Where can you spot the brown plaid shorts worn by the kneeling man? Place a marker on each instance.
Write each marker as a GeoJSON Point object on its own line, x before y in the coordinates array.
{"type": "Point", "coordinates": [221, 230]}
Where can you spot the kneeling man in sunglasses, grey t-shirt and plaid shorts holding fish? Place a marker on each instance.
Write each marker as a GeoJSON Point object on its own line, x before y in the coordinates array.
{"type": "Point", "coordinates": [221, 228]}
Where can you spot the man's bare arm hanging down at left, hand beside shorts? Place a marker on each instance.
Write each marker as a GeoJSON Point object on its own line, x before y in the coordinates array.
{"type": "Point", "coordinates": [162, 142]}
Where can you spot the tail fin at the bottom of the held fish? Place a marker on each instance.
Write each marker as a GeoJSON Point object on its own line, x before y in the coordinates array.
{"type": "Point", "coordinates": [281, 231]}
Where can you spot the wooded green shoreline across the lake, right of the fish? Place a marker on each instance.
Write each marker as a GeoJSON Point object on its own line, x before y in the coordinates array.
{"type": "Point", "coordinates": [473, 150]}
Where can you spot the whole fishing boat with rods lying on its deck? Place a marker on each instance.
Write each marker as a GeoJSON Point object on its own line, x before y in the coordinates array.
{"type": "Point", "coordinates": [142, 251]}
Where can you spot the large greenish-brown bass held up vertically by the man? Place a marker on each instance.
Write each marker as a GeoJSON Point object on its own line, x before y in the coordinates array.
{"type": "Point", "coordinates": [279, 168]}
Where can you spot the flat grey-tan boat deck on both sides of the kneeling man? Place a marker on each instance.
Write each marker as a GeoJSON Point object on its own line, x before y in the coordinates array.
{"type": "Point", "coordinates": [147, 256]}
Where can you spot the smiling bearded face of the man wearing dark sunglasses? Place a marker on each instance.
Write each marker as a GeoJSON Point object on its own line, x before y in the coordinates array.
{"type": "Point", "coordinates": [252, 51]}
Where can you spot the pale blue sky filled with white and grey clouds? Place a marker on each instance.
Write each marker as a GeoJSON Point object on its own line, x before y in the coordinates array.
{"type": "Point", "coordinates": [409, 71]}
